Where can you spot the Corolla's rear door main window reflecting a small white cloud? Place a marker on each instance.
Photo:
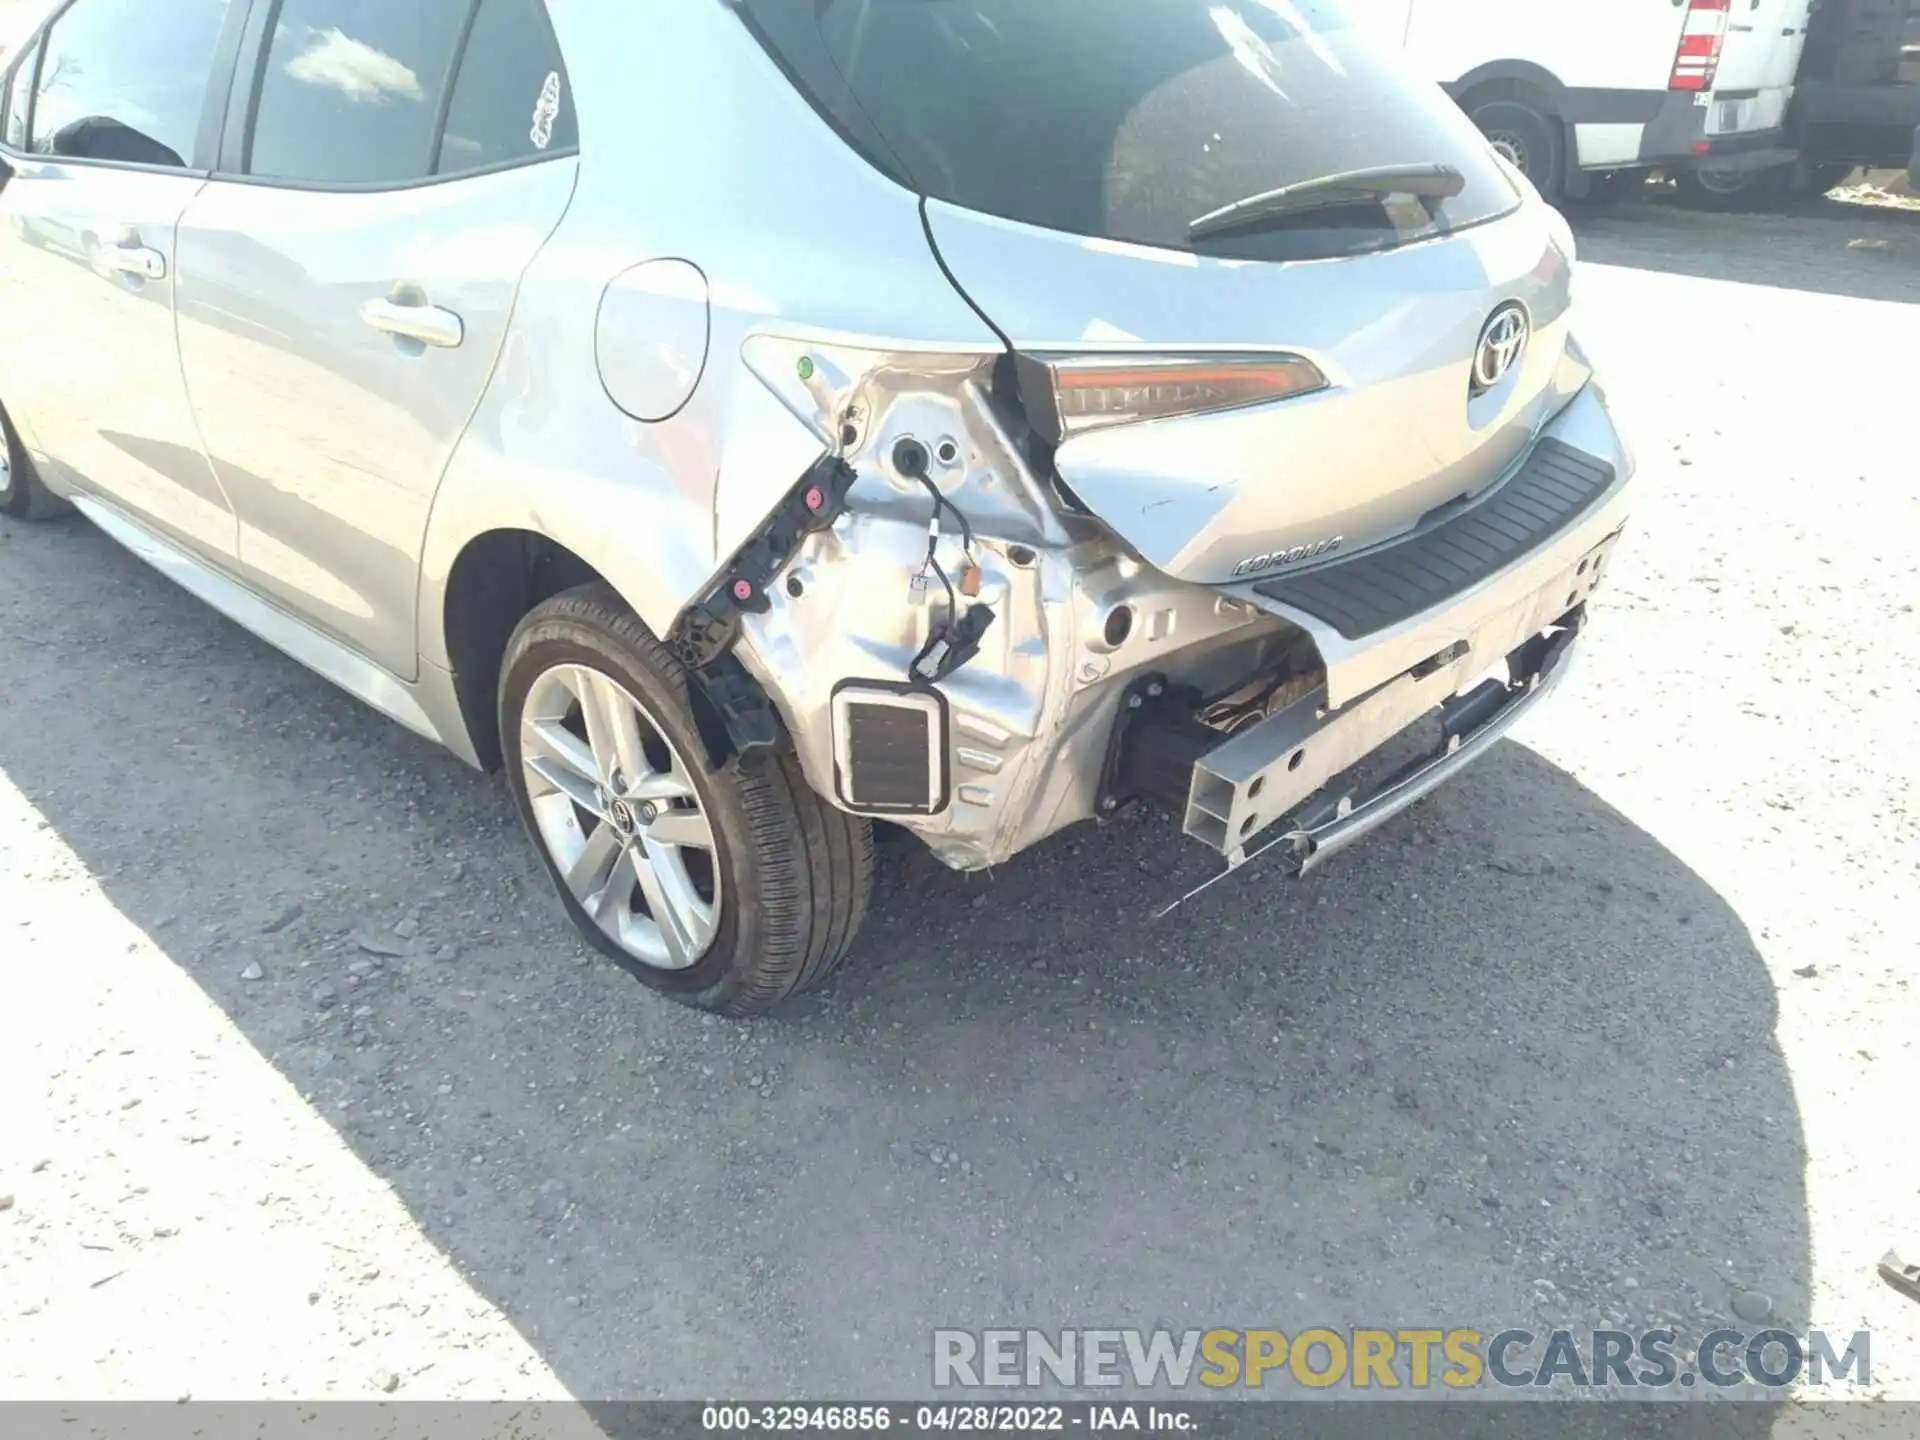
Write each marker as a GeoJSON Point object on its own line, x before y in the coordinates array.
{"type": "Point", "coordinates": [350, 91]}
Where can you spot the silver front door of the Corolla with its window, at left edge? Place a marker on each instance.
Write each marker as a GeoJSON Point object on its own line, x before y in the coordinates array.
{"type": "Point", "coordinates": [108, 151]}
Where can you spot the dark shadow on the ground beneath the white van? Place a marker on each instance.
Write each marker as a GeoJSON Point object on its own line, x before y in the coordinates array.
{"type": "Point", "coordinates": [1823, 247]}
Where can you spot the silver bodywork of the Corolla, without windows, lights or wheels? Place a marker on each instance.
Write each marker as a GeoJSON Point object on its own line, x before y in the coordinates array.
{"type": "Point", "coordinates": [331, 396]}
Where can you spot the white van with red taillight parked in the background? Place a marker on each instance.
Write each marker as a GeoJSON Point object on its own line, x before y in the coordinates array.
{"type": "Point", "coordinates": [1581, 89]}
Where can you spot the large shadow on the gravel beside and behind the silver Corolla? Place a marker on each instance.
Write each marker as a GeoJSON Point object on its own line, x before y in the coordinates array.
{"type": "Point", "coordinates": [1510, 1065]}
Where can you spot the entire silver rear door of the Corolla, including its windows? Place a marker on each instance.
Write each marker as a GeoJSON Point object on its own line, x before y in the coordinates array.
{"type": "Point", "coordinates": [347, 283]}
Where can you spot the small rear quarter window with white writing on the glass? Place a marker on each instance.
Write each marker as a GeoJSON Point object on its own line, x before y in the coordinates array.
{"type": "Point", "coordinates": [512, 101]}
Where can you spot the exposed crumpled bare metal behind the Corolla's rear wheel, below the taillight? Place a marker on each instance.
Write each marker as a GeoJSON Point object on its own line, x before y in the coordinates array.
{"type": "Point", "coordinates": [1074, 615]}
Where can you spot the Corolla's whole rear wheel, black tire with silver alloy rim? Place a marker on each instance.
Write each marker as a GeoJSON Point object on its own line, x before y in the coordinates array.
{"type": "Point", "coordinates": [727, 888]}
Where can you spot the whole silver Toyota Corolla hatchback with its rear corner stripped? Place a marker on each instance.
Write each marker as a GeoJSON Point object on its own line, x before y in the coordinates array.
{"type": "Point", "coordinates": [748, 420]}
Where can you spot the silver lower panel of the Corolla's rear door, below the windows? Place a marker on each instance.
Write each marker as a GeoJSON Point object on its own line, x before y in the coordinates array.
{"type": "Point", "coordinates": [335, 347]}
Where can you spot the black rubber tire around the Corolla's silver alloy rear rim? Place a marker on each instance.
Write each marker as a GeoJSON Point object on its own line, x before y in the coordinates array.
{"type": "Point", "coordinates": [796, 875]}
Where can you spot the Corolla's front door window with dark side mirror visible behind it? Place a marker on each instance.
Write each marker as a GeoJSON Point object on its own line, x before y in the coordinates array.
{"type": "Point", "coordinates": [126, 82]}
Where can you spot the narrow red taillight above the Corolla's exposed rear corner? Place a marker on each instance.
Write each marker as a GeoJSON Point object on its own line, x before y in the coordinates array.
{"type": "Point", "coordinates": [1070, 396]}
